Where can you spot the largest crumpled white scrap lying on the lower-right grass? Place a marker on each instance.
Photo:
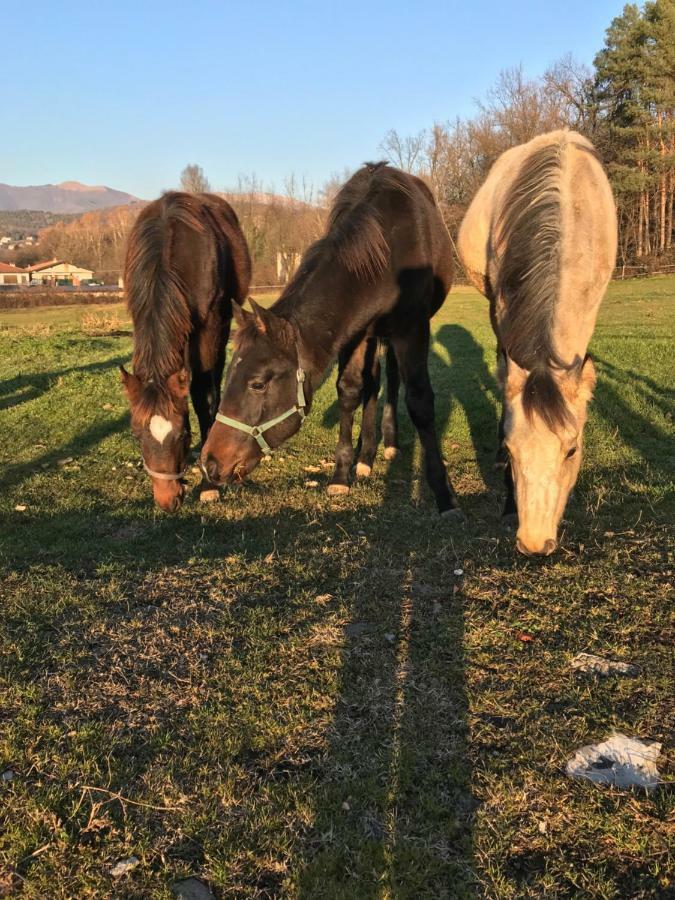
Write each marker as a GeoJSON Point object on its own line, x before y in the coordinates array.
{"type": "Point", "coordinates": [620, 761]}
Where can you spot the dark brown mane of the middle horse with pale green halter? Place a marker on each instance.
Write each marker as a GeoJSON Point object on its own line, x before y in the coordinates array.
{"type": "Point", "coordinates": [354, 234]}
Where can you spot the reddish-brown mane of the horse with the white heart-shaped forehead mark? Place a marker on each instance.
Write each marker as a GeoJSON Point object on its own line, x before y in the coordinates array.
{"type": "Point", "coordinates": [156, 295]}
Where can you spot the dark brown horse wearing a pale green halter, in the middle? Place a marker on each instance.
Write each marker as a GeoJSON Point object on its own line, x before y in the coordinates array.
{"type": "Point", "coordinates": [380, 272]}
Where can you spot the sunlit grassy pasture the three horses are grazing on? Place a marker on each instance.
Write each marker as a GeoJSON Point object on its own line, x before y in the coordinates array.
{"type": "Point", "coordinates": [290, 695]}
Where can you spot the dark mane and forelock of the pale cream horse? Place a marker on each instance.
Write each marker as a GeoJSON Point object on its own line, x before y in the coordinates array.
{"type": "Point", "coordinates": [529, 235]}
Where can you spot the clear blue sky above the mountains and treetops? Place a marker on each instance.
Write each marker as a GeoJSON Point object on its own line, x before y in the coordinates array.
{"type": "Point", "coordinates": [126, 93]}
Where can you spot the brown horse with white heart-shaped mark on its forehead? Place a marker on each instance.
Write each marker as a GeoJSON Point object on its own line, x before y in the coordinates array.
{"type": "Point", "coordinates": [187, 264]}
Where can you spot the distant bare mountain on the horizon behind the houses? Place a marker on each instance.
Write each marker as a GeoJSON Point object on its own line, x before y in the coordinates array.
{"type": "Point", "coordinates": [67, 197]}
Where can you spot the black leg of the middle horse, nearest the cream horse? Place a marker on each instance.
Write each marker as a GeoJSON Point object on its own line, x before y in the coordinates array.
{"type": "Point", "coordinates": [411, 353]}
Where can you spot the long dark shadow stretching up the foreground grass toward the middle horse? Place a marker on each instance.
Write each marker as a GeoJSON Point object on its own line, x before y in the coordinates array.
{"type": "Point", "coordinates": [393, 804]}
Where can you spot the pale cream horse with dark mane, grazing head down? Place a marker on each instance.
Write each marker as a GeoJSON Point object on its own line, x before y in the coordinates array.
{"type": "Point", "coordinates": [539, 240]}
